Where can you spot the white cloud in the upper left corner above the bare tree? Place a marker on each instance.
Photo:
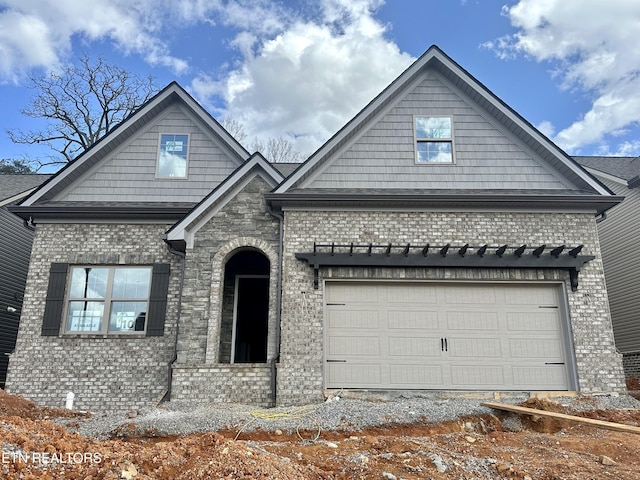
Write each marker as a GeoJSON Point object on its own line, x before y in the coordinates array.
{"type": "Point", "coordinates": [39, 33]}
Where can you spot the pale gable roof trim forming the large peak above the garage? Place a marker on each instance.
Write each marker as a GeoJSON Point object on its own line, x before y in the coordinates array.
{"type": "Point", "coordinates": [437, 60]}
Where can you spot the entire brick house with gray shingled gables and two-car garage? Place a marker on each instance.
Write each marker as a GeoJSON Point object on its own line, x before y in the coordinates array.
{"type": "Point", "coordinates": [438, 241]}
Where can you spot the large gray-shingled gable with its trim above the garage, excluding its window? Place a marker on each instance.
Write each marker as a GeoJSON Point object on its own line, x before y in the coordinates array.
{"type": "Point", "coordinates": [496, 148]}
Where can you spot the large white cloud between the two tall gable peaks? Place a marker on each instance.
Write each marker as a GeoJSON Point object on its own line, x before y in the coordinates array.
{"type": "Point", "coordinates": [311, 77]}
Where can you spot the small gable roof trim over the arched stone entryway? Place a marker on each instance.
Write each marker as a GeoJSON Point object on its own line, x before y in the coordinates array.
{"type": "Point", "coordinates": [182, 233]}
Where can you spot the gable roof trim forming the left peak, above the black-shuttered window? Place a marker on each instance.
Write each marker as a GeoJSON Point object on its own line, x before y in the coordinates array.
{"type": "Point", "coordinates": [124, 130]}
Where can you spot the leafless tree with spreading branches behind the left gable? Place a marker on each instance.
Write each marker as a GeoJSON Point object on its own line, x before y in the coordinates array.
{"type": "Point", "coordinates": [82, 103]}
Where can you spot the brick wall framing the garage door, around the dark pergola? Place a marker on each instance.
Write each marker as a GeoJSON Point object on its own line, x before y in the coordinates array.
{"type": "Point", "coordinates": [300, 377]}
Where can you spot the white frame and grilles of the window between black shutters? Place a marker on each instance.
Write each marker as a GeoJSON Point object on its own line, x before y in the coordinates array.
{"type": "Point", "coordinates": [107, 300]}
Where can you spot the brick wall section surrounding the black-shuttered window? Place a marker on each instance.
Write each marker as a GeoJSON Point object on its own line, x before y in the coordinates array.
{"type": "Point", "coordinates": [104, 372]}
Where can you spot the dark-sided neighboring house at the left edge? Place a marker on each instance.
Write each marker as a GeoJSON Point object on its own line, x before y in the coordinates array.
{"type": "Point", "coordinates": [15, 249]}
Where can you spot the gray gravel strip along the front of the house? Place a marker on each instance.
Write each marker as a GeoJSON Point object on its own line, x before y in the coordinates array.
{"type": "Point", "coordinates": [349, 414]}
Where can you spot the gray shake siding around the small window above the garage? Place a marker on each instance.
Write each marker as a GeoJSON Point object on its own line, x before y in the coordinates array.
{"type": "Point", "coordinates": [384, 156]}
